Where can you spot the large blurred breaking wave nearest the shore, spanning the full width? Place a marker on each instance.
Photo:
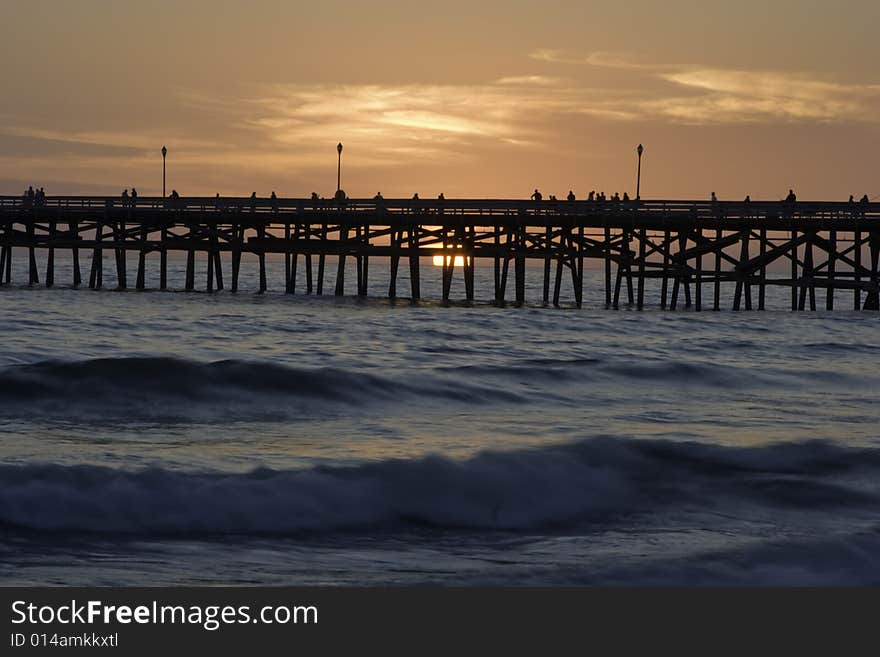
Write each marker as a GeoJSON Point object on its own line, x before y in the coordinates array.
{"type": "Point", "coordinates": [557, 488]}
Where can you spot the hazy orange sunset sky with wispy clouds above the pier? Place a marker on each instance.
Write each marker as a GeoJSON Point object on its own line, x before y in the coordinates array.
{"type": "Point", "coordinates": [478, 99]}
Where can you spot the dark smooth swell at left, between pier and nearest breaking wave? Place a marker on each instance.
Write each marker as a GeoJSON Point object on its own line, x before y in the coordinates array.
{"type": "Point", "coordinates": [145, 386]}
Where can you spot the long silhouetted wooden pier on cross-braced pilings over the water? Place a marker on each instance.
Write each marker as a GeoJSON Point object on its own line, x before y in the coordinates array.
{"type": "Point", "coordinates": [692, 247]}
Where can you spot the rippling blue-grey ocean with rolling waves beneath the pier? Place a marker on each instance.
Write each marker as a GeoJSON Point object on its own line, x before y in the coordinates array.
{"type": "Point", "coordinates": [163, 438]}
